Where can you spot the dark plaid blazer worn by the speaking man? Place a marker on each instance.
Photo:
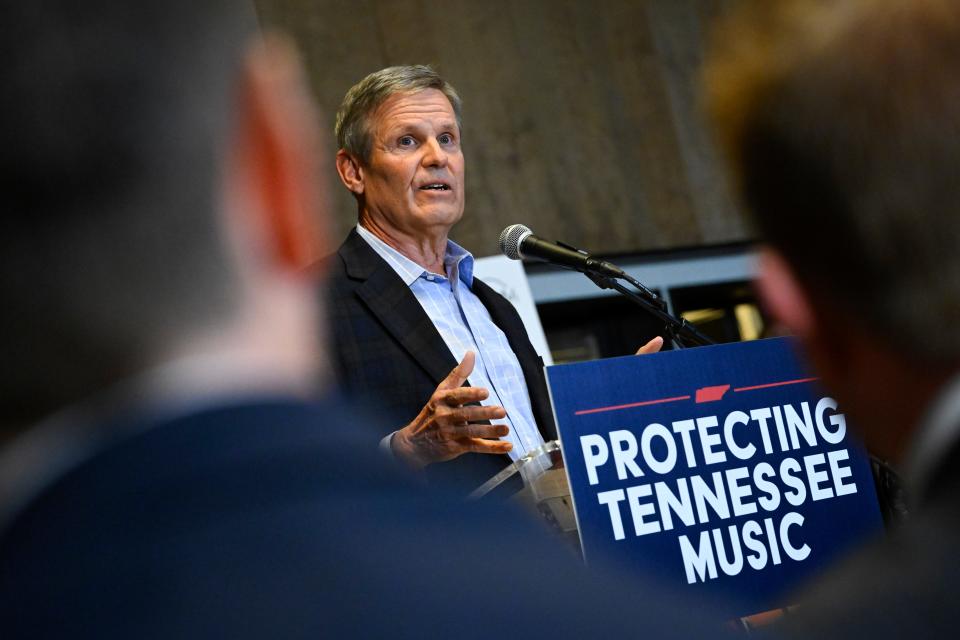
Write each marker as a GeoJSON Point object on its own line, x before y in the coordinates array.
{"type": "Point", "coordinates": [387, 351]}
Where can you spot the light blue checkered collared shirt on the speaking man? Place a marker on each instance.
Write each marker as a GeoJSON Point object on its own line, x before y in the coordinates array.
{"type": "Point", "coordinates": [465, 325]}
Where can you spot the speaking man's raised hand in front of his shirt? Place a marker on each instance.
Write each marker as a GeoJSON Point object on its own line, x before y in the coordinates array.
{"type": "Point", "coordinates": [445, 428]}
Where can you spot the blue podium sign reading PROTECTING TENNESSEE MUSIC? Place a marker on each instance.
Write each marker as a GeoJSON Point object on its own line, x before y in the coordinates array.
{"type": "Point", "coordinates": [724, 470]}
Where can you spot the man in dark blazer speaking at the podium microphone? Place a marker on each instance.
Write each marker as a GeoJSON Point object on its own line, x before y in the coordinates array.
{"type": "Point", "coordinates": [405, 306]}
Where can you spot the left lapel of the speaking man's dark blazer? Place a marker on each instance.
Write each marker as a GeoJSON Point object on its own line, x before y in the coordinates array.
{"type": "Point", "coordinates": [394, 305]}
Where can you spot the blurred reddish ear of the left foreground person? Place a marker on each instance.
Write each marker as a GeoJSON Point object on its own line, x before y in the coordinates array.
{"type": "Point", "coordinates": [274, 176]}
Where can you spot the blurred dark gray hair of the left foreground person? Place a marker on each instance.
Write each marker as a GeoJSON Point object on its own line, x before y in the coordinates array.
{"type": "Point", "coordinates": [112, 133]}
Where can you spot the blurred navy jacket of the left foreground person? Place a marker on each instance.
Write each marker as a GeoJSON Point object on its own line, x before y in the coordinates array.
{"type": "Point", "coordinates": [275, 519]}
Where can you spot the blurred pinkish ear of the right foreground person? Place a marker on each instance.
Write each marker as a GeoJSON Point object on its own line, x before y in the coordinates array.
{"type": "Point", "coordinates": [782, 295]}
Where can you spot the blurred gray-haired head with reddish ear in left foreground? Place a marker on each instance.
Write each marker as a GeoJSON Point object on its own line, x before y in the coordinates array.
{"type": "Point", "coordinates": [159, 183]}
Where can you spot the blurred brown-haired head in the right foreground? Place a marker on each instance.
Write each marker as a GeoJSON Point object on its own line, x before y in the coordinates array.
{"type": "Point", "coordinates": [841, 122]}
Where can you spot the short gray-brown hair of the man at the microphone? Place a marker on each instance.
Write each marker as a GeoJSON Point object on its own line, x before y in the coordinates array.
{"type": "Point", "coordinates": [364, 98]}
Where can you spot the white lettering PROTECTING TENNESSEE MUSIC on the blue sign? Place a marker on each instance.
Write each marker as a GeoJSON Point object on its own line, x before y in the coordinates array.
{"type": "Point", "coordinates": [696, 495]}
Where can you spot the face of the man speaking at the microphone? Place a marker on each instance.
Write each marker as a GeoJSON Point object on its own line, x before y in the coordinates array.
{"type": "Point", "coordinates": [413, 182]}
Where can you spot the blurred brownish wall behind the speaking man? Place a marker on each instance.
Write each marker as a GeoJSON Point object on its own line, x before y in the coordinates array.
{"type": "Point", "coordinates": [580, 117]}
